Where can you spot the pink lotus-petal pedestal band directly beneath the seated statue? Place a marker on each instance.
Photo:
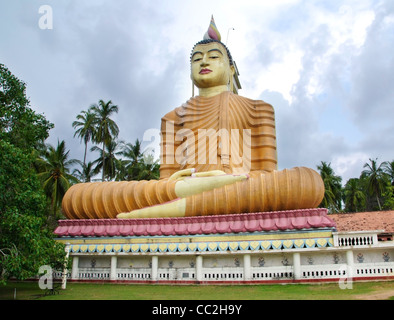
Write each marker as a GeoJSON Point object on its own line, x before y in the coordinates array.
{"type": "Point", "coordinates": [290, 220]}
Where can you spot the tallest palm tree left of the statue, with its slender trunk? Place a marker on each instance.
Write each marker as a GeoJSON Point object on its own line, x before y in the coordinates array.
{"type": "Point", "coordinates": [105, 128]}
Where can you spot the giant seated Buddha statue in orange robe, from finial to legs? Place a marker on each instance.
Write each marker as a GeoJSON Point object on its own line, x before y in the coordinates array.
{"type": "Point", "coordinates": [218, 156]}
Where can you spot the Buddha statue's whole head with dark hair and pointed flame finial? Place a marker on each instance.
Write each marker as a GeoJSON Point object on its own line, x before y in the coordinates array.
{"type": "Point", "coordinates": [211, 61]}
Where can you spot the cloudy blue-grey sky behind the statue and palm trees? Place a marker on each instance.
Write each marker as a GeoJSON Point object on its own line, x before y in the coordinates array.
{"type": "Point", "coordinates": [327, 67]}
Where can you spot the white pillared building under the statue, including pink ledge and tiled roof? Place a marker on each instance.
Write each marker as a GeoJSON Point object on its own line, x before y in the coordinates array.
{"type": "Point", "coordinates": [279, 247]}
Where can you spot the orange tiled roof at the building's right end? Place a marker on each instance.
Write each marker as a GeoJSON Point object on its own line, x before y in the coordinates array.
{"type": "Point", "coordinates": [377, 220]}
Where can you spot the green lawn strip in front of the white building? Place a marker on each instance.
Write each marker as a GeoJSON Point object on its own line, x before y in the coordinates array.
{"type": "Point", "coordinates": [85, 291]}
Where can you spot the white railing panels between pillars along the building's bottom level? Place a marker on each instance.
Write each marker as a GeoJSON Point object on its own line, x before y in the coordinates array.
{"type": "Point", "coordinates": [329, 271]}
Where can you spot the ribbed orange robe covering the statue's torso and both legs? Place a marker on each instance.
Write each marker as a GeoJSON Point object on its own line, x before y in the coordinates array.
{"type": "Point", "coordinates": [226, 132]}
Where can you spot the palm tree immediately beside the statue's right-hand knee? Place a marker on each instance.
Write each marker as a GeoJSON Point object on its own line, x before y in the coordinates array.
{"type": "Point", "coordinates": [333, 188]}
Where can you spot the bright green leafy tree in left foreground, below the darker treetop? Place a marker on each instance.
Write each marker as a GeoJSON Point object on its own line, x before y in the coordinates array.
{"type": "Point", "coordinates": [25, 241]}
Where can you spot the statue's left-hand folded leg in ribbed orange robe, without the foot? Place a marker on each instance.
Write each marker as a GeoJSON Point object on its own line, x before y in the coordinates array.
{"type": "Point", "coordinates": [107, 199]}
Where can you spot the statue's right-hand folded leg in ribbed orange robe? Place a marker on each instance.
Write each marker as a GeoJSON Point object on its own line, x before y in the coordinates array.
{"type": "Point", "coordinates": [296, 188]}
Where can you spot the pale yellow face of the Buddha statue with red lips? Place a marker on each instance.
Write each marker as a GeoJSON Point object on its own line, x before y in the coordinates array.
{"type": "Point", "coordinates": [210, 66]}
